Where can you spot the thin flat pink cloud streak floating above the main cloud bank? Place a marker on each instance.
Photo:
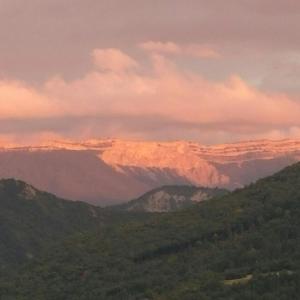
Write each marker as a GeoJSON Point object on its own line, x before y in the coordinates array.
{"type": "Point", "coordinates": [195, 50]}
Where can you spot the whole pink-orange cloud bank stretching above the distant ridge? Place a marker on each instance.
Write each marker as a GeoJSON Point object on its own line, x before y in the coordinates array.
{"type": "Point", "coordinates": [122, 97]}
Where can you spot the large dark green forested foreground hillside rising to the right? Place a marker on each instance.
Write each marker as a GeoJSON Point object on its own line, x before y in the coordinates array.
{"type": "Point", "coordinates": [244, 245]}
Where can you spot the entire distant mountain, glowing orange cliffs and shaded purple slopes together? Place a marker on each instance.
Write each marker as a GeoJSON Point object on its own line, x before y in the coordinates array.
{"type": "Point", "coordinates": [107, 171]}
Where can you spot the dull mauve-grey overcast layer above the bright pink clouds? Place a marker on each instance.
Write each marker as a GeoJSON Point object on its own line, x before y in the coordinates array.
{"type": "Point", "coordinates": [249, 35]}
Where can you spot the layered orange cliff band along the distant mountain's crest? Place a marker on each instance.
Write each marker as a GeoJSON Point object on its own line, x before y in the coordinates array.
{"type": "Point", "coordinates": [239, 151]}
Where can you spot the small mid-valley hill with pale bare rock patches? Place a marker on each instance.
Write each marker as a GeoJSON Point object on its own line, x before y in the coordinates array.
{"type": "Point", "coordinates": [171, 198]}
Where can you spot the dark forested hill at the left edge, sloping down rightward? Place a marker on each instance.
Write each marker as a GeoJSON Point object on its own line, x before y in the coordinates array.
{"type": "Point", "coordinates": [30, 218]}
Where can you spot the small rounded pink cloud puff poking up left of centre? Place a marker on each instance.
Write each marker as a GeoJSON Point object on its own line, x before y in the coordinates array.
{"type": "Point", "coordinates": [113, 60]}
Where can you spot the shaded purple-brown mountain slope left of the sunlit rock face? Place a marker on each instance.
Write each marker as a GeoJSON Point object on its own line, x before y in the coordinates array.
{"type": "Point", "coordinates": [76, 175]}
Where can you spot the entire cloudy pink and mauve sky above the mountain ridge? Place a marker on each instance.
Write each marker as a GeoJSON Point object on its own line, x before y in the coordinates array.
{"type": "Point", "coordinates": [208, 71]}
